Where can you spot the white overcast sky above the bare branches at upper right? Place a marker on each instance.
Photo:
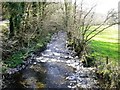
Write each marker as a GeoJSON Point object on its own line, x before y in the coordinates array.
{"type": "Point", "coordinates": [103, 6]}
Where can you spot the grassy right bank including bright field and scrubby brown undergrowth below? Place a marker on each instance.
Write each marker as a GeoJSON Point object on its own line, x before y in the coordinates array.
{"type": "Point", "coordinates": [105, 50]}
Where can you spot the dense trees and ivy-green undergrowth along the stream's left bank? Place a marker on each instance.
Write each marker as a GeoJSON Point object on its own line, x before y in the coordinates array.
{"type": "Point", "coordinates": [28, 29]}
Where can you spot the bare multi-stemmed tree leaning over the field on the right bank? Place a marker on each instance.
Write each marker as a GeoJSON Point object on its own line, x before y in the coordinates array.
{"type": "Point", "coordinates": [83, 27]}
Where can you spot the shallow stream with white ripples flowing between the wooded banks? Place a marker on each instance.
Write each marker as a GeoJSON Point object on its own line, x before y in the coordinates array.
{"type": "Point", "coordinates": [54, 68]}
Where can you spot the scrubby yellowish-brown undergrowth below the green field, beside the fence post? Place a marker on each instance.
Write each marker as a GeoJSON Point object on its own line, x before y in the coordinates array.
{"type": "Point", "coordinates": [108, 73]}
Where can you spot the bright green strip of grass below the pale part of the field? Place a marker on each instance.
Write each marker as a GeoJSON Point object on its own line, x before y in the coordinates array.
{"type": "Point", "coordinates": [105, 49]}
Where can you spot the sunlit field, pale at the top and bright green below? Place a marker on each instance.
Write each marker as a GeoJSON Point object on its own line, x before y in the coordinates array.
{"type": "Point", "coordinates": [106, 43]}
